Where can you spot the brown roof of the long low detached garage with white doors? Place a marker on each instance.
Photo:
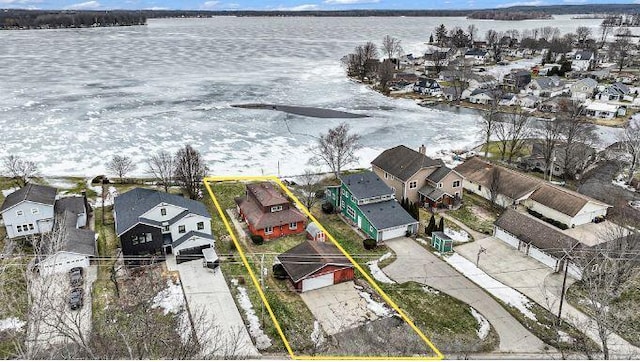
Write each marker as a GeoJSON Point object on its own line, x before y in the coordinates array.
{"type": "Point", "coordinates": [530, 230]}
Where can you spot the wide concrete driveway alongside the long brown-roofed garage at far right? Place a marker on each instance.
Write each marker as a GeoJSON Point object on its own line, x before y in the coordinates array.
{"type": "Point", "coordinates": [540, 284]}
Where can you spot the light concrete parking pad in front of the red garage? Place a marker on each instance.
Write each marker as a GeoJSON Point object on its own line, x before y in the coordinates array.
{"type": "Point", "coordinates": [338, 307]}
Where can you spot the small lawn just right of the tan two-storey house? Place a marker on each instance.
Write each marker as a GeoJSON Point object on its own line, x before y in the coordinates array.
{"type": "Point", "coordinates": [477, 213]}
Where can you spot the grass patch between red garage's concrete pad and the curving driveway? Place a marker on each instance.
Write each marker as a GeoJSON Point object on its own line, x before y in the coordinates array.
{"type": "Point", "coordinates": [445, 320]}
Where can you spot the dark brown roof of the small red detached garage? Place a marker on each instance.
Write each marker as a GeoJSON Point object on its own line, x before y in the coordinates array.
{"type": "Point", "coordinates": [307, 258]}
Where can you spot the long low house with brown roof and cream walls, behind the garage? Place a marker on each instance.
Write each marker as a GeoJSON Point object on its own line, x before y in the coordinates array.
{"type": "Point", "coordinates": [511, 188]}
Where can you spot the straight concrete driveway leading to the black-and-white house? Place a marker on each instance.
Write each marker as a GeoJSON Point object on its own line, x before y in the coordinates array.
{"type": "Point", "coordinates": [207, 294]}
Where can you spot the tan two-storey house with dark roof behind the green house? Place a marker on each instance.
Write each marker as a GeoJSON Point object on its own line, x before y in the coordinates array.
{"type": "Point", "coordinates": [414, 176]}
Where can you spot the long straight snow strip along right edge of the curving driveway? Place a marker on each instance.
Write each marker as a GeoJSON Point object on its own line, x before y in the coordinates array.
{"type": "Point", "coordinates": [503, 292]}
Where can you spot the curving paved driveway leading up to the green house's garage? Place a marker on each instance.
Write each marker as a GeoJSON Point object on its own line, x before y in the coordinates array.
{"type": "Point", "coordinates": [414, 263]}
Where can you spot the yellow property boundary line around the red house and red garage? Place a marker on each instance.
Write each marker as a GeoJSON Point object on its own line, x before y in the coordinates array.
{"type": "Point", "coordinates": [370, 280]}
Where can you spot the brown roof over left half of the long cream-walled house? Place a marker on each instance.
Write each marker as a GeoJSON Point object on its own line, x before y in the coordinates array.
{"type": "Point", "coordinates": [512, 184]}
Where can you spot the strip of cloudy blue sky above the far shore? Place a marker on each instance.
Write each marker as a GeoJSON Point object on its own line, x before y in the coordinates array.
{"type": "Point", "coordinates": [279, 4]}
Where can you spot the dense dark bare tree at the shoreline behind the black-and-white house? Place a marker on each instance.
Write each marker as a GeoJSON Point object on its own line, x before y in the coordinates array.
{"type": "Point", "coordinates": [190, 170]}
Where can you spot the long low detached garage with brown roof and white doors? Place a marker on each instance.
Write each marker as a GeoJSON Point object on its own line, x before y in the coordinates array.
{"type": "Point", "coordinates": [538, 240]}
